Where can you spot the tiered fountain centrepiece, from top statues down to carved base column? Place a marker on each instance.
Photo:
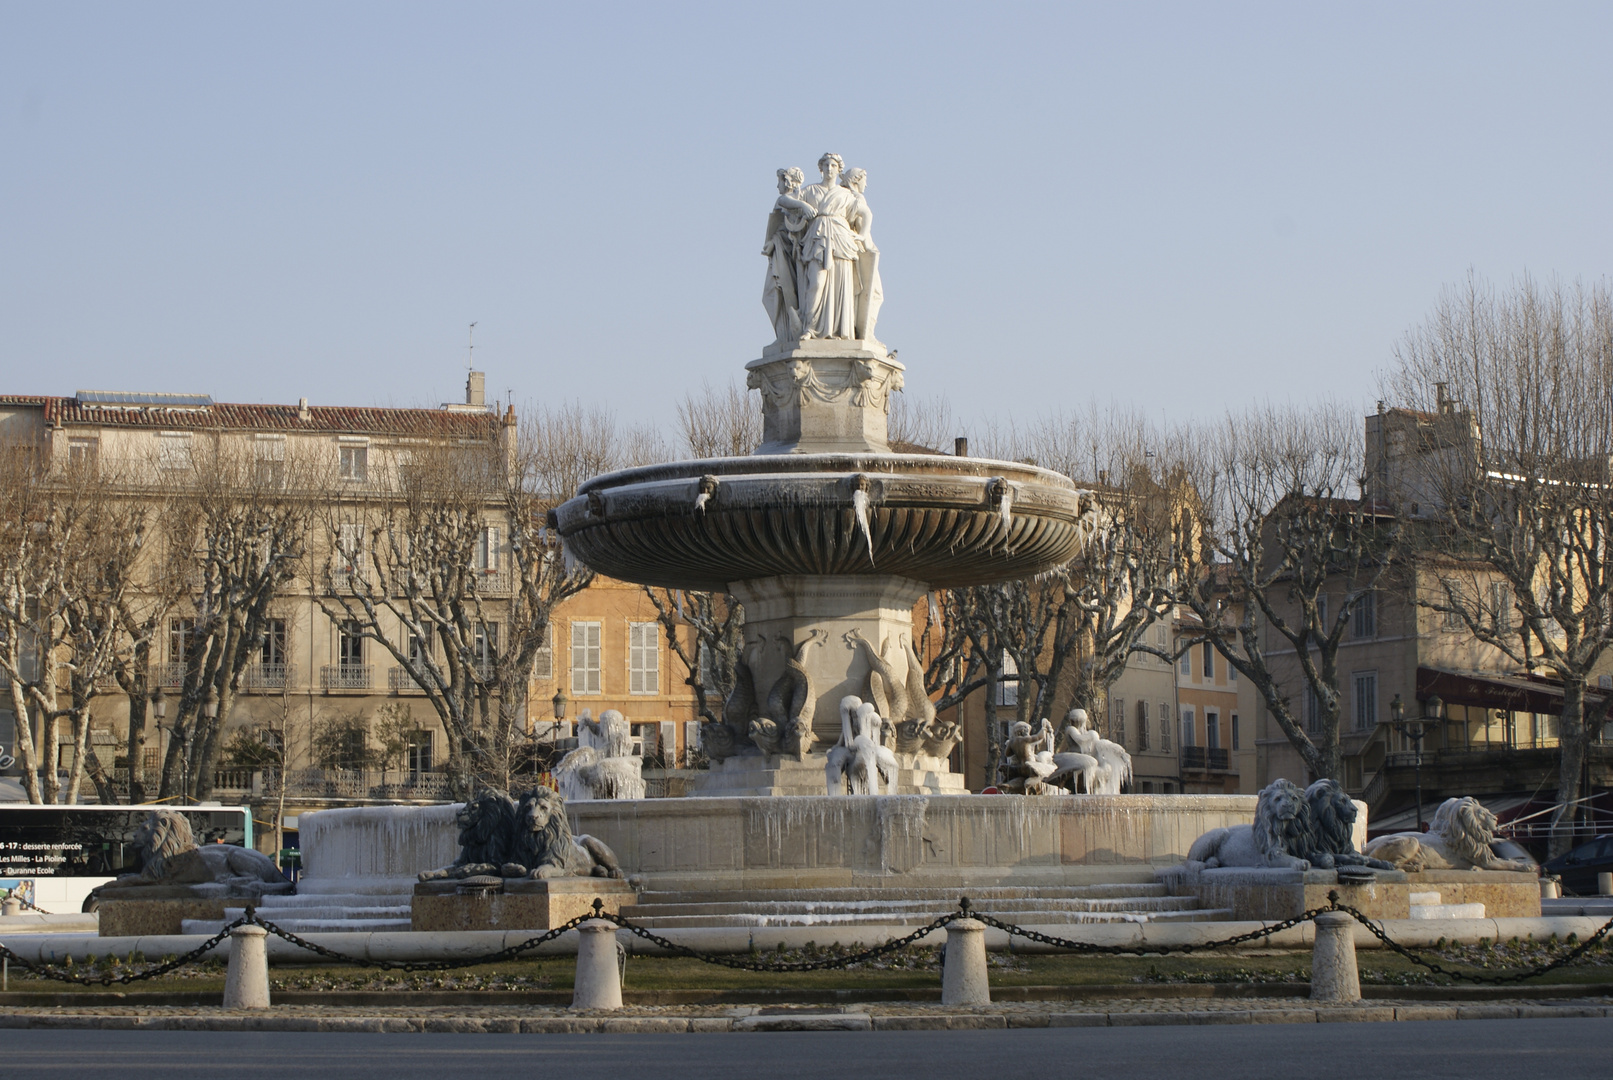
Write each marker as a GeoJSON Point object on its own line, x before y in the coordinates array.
{"type": "Point", "coordinates": [823, 534]}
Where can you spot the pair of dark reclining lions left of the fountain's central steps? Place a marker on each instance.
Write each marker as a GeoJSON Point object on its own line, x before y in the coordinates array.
{"type": "Point", "coordinates": [528, 841]}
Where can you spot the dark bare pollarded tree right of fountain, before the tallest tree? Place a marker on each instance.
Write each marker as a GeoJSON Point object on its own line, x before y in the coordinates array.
{"type": "Point", "coordinates": [1280, 557]}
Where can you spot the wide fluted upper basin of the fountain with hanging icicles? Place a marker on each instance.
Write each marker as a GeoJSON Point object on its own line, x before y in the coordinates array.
{"type": "Point", "coordinates": [938, 520]}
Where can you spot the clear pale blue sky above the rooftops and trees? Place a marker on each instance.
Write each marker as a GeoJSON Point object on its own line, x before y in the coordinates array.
{"type": "Point", "coordinates": [1178, 206]}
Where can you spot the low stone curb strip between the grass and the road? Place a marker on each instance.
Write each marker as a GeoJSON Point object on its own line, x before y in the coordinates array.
{"type": "Point", "coordinates": [788, 1023]}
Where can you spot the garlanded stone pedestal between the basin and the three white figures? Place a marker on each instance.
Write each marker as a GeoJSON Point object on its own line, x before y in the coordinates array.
{"type": "Point", "coordinates": [825, 396]}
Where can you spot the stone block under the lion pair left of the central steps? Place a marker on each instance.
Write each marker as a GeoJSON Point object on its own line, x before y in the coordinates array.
{"type": "Point", "coordinates": [517, 905]}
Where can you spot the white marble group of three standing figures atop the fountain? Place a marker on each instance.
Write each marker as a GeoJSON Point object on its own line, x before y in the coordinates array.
{"type": "Point", "coordinates": [823, 265]}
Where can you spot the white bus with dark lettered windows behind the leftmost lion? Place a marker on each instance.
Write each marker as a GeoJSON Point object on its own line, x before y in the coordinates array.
{"type": "Point", "coordinates": [52, 857]}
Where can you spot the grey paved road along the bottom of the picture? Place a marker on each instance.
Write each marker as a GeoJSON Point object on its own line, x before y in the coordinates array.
{"type": "Point", "coordinates": [1461, 1050]}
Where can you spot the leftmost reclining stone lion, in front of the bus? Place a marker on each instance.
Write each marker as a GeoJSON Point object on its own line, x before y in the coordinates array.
{"type": "Point", "coordinates": [173, 866]}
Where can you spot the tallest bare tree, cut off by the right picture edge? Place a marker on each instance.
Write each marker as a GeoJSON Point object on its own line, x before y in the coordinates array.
{"type": "Point", "coordinates": [1511, 470]}
